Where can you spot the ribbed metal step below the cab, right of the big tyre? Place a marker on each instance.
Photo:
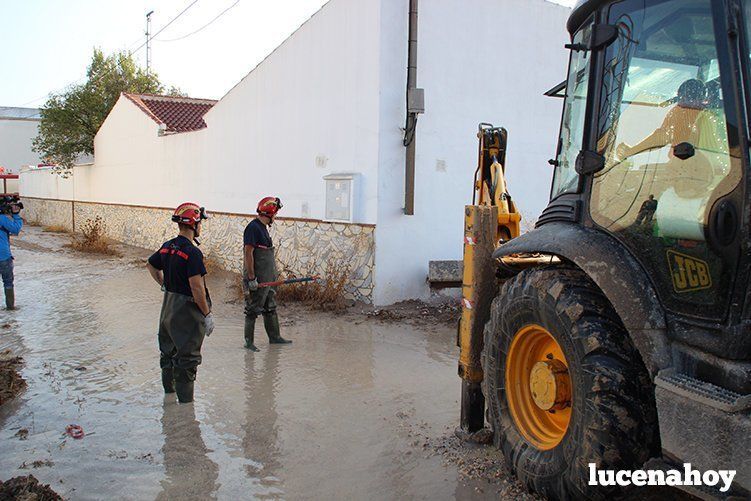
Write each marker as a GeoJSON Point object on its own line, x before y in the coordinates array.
{"type": "Point", "coordinates": [707, 393]}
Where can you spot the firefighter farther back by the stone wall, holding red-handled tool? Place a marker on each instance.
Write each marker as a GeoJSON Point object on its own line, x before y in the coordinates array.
{"type": "Point", "coordinates": [260, 267]}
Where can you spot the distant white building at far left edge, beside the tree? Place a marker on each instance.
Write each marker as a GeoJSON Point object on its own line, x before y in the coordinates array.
{"type": "Point", "coordinates": [18, 128]}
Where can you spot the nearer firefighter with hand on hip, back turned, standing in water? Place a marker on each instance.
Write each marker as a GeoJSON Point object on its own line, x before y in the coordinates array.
{"type": "Point", "coordinates": [186, 310]}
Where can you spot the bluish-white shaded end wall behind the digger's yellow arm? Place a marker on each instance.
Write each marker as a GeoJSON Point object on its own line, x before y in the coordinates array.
{"type": "Point", "coordinates": [478, 61]}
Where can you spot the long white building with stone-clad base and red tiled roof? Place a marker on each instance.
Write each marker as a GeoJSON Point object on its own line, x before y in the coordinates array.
{"type": "Point", "coordinates": [320, 122]}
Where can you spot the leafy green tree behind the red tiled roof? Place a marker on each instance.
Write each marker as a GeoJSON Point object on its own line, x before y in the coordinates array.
{"type": "Point", "coordinates": [71, 119]}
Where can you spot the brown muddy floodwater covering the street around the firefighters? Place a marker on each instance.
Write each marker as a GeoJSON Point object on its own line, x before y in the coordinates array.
{"type": "Point", "coordinates": [355, 408]}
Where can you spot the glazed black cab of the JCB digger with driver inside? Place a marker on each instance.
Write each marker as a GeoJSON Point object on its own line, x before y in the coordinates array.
{"type": "Point", "coordinates": [653, 143]}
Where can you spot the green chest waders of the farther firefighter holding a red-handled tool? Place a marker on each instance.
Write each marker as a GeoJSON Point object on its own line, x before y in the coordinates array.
{"type": "Point", "coordinates": [262, 301]}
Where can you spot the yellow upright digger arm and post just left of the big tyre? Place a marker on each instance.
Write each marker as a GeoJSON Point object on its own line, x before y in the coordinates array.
{"type": "Point", "coordinates": [492, 220]}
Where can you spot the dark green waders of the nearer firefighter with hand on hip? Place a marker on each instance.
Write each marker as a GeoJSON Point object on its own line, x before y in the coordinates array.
{"type": "Point", "coordinates": [181, 332]}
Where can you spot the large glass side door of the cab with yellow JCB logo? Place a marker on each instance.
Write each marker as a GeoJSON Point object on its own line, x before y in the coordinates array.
{"type": "Point", "coordinates": [663, 132]}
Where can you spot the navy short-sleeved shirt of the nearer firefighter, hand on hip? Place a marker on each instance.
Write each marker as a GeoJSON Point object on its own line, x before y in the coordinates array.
{"type": "Point", "coordinates": [179, 259]}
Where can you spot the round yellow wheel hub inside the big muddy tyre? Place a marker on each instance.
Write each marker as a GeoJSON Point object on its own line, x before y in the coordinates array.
{"type": "Point", "coordinates": [538, 387]}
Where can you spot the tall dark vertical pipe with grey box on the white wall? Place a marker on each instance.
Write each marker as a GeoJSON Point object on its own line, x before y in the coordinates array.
{"type": "Point", "coordinates": [415, 106]}
